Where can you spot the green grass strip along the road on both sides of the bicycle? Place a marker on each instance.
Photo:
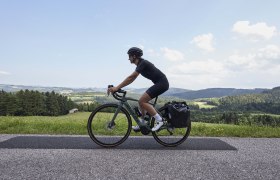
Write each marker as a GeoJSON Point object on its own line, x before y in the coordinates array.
{"type": "Point", "coordinates": [77, 124]}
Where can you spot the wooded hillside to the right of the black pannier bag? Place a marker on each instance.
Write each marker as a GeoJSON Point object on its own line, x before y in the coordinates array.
{"type": "Point", "coordinates": [261, 109]}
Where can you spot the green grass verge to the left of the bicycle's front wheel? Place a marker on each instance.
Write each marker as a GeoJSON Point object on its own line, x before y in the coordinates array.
{"type": "Point", "coordinates": [68, 124]}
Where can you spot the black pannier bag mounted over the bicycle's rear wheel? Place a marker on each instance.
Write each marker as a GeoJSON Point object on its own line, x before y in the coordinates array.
{"type": "Point", "coordinates": [179, 114]}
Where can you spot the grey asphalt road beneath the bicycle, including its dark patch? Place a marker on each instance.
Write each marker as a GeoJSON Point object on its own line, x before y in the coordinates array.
{"type": "Point", "coordinates": [77, 157]}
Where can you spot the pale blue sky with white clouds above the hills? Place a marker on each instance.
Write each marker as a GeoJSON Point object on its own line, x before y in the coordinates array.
{"type": "Point", "coordinates": [198, 44]}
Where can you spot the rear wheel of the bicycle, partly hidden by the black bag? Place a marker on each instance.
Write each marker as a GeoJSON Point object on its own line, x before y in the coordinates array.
{"type": "Point", "coordinates": [168, 135]}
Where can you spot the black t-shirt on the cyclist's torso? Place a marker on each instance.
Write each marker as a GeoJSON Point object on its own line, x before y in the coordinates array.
{"type": "Point", "coordinates": [149, 71]}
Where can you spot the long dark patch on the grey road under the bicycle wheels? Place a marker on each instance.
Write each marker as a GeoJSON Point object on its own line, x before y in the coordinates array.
{"type": "Point", "coordinates": [55, 142]}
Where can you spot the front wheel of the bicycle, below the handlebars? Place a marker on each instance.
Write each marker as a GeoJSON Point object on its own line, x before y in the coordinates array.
{"type": "Point", "coordinates": [109, 125]}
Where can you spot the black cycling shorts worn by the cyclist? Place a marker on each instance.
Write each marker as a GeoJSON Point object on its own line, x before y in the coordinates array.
{"type": "Point", "coordinates": [158, 88]}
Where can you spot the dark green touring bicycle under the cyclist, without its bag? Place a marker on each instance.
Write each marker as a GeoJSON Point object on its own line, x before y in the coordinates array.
{"type": "Point", "coordinates": [110, 124]}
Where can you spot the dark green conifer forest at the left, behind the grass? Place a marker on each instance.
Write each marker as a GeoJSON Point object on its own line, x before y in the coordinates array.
{"type": "Point", "coordinates": [34, 103]}
